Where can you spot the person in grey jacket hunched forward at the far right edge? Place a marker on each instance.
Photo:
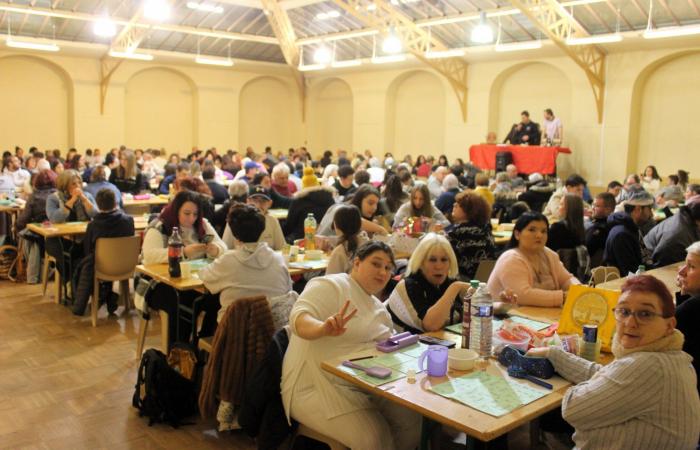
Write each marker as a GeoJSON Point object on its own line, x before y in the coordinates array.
{"type": "Point", "coordinates": [667, 240]}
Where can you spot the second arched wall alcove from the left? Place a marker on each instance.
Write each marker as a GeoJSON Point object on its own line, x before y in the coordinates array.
{"type": "Point", "coordinates": [161, 110]}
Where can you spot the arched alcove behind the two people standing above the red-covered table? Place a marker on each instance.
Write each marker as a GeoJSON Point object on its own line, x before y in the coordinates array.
{"type": "Point", "coordinates": [533, 87]}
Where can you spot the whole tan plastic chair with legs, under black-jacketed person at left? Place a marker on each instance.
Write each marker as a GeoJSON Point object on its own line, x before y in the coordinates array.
{"type": "Point", "coordinates": [115, 260]}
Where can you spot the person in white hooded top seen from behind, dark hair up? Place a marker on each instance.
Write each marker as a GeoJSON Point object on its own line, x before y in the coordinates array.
{"type": "Point", "coordinates": [253, 268]}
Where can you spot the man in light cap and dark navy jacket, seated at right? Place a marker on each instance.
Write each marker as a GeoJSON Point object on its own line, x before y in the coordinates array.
{"type": "Point", "coordinates": [624, 247]}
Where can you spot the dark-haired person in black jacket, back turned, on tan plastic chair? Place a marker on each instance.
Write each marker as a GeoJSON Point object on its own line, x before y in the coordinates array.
{"type": "Point", "coordinates": [110, 222]}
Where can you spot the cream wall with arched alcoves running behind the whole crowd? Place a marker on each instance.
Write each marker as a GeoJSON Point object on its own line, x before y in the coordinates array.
{"type": "Point", "coordinates": [648, 94]}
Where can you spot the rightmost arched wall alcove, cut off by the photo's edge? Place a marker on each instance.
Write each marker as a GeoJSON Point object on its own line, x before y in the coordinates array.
{"type": "Point", "coordinates": [665, 100]}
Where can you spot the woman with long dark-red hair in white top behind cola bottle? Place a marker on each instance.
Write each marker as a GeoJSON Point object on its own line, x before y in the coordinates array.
{"type": "Point", "coordinates": [200, 241]}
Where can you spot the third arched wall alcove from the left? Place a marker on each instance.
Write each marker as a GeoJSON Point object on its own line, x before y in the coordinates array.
{"type": "Point", "coordinates": [266, 112]}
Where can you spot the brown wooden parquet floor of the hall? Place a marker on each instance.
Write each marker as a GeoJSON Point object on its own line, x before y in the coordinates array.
{"type": "Point", "coordinates": [67, 385]}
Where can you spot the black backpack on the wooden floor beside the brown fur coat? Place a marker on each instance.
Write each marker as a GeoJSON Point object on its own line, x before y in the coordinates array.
{"type": "Point", "coordinates": [161, 393]}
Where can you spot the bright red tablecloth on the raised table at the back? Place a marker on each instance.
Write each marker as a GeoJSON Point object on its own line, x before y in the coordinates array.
{"type": "Point", "coordinates": [528, 159]}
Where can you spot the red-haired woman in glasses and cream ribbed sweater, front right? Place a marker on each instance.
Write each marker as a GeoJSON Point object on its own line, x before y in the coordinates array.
{"type": "Point", "coordinates": [645, 398]}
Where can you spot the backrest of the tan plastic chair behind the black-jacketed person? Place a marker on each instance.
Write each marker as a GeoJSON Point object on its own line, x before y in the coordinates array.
{"type": "Point", "coordinates": [116, 258]}
